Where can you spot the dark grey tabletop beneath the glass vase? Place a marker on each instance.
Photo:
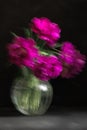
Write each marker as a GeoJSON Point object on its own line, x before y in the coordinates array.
{"type": "Point", "coordinates": [60, 119]}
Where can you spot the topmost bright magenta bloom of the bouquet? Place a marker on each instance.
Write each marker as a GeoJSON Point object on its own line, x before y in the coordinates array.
{"type": "Point", "coordinates": [46, 30]}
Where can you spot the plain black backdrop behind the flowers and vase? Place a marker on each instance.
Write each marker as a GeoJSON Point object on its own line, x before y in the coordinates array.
{"type": "Point", "coordinates": [71, 15]}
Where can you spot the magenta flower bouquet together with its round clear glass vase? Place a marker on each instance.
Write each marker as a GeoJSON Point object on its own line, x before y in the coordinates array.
{"type": "Point", "coordinates": [41, 57]}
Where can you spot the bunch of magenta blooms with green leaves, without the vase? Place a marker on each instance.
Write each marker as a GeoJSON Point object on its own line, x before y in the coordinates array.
{"type": "Point", "coordinates": [41, 53]}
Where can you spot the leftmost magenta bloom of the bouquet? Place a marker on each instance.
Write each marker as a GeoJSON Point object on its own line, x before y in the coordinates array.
{"type": "Point", "coordinates": [22, 51]}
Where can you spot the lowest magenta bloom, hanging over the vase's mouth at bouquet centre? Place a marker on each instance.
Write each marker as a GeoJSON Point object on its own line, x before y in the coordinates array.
{"type": "Point", "coordinates": [47, 67]}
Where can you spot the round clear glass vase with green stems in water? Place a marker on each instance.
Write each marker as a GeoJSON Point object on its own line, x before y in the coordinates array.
{"type": "Point", "coordinates": [30, 95]}
